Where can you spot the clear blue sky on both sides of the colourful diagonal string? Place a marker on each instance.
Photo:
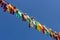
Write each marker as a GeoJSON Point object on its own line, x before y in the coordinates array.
{"type": "Point", "coordinates": [47, 12]}
